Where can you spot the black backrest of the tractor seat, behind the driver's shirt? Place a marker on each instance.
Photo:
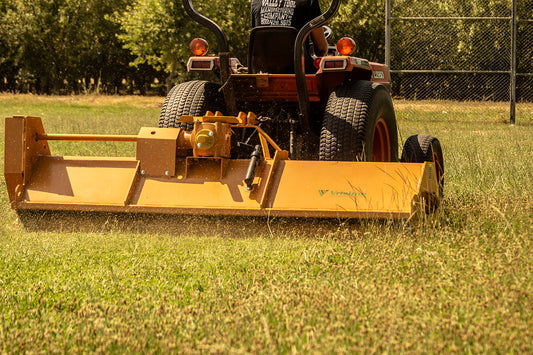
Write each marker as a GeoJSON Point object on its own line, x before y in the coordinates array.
{"type": "Point", "coordinates": [271, 50]}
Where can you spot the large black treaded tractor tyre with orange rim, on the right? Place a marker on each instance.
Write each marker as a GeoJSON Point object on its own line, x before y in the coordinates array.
{"type": "Point", "coordinates": [359, 122]}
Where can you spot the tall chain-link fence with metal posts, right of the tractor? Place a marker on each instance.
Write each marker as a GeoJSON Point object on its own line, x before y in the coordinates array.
{"type": "Point", "coordinates": [468, 50]}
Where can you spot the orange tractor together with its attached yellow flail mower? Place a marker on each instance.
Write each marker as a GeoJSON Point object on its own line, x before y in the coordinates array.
{"type": "Point", "coordinates": [320, 144]}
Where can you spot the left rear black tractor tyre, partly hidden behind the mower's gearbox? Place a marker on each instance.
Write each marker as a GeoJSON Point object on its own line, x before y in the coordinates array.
{"type": "Point", "coordinates": [190, 98]}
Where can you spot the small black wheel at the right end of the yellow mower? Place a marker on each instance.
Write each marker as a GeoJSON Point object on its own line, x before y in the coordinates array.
{"type": "Point", "coordinates": [421, 148]}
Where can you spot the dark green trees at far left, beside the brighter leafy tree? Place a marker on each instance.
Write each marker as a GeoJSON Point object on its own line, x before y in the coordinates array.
{"type": "Point", "coordinates": [55, 46]}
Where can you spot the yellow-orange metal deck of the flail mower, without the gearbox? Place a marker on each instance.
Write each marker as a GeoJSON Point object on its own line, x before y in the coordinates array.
{"type": "Point", "coordinates": [213, 185]}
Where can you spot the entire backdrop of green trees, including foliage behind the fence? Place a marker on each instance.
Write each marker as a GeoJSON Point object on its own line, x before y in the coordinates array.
{"type": "Point", "coordinates": [72, 46]}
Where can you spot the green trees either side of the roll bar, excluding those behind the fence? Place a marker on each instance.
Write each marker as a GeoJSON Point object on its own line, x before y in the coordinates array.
{"type": "Point", "coordinates": [63, 46]}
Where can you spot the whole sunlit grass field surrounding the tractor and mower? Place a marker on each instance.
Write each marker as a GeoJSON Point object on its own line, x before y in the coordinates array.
{"type": "Point", "coordinates": [460, 281]}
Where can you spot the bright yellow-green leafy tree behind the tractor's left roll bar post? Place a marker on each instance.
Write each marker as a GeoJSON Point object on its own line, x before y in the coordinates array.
{"type": "Point", "coordinates": [158, 32]}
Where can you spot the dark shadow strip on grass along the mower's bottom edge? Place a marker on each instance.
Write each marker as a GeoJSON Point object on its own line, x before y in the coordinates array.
{"type": "Point", "coordinates": [198, 225]}
